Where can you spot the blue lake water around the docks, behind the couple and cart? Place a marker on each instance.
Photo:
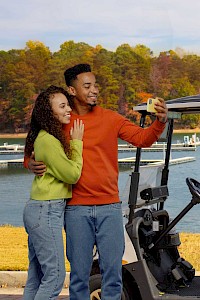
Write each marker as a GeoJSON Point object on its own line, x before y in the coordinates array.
{"type": "Point", "coordinates": [15, 185]}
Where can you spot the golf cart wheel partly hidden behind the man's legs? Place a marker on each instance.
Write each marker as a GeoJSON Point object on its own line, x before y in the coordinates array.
{"type": "Point", "coordinates": [95, 289]}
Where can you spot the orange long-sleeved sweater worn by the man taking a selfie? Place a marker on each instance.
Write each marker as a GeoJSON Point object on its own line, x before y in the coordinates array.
{"type": "Point", "coordinates": [99, 179]}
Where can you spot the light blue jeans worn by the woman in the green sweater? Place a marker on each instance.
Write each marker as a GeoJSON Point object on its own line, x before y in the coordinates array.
{"type": "Point", "coordinates": [43, 221]}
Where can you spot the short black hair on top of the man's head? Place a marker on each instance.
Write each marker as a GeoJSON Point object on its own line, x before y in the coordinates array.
{"type": "Point", "coordinates": [71, 73]}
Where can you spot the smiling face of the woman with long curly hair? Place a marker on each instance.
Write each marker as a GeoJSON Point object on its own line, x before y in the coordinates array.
{"type": "Point", "coordinates": [61, 108]}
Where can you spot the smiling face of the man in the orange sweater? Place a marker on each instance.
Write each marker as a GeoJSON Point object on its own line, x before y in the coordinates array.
{"type": "Point", "coordinates": [85, 89]}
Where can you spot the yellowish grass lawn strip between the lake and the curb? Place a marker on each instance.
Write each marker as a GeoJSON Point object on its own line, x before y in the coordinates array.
{"type": "Point", "coordinates": [14, 252]}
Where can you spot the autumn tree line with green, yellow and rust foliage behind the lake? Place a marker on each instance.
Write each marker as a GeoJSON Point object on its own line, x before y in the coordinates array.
{"type": "Point", "coordinates": [127, 76]}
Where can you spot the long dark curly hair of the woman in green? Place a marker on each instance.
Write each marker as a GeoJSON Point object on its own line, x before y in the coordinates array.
{"type": "Point", "coordinates": [43, 118]}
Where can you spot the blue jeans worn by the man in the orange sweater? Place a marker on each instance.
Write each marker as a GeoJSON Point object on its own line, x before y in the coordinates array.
{"type": "Point", "coordinates": [86, 226]}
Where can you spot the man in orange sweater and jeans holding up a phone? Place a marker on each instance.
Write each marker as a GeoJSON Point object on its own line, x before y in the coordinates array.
{"type": "Point", "coordinates": [93, 216]}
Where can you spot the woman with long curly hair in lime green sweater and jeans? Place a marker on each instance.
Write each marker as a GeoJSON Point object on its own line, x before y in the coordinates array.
{"type": "Point", "coordinates": [44, 212]}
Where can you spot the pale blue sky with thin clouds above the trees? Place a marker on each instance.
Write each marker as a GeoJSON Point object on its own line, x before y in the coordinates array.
{"type": "Point", "coordinates": [161, 25]}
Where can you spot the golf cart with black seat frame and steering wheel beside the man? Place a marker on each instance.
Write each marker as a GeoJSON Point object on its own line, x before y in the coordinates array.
{"type": "Point", "coordinates": [152, 267]}
